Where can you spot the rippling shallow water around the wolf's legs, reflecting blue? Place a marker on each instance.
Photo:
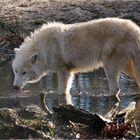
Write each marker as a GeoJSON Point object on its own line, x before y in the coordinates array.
{"type": "Point", "coordinates": [89, 91]}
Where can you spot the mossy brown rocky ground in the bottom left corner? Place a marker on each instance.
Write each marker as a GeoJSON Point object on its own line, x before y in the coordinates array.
{"type": "Point", "coordinates": [26, 122]}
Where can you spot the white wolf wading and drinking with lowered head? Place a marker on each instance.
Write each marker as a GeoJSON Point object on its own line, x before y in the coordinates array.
{"type": "Point", "coordinates": [111, 43]}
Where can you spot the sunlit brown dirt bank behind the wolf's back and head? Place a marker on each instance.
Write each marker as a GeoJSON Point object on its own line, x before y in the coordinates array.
{"type": "Point", "coordinates": [19, 17]}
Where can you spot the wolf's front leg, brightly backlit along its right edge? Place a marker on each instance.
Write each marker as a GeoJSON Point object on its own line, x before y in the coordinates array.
{"type": "Point", "coordinates": [65, 78]}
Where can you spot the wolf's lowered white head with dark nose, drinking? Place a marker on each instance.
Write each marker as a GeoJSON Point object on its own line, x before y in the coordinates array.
{"type": "Point", "coordinates": [27, 68]}
